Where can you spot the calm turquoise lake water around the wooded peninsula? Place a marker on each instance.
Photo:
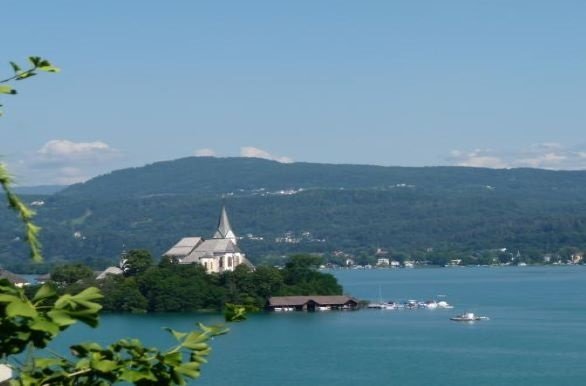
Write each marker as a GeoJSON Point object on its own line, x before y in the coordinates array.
{"type": "Point", "coordinates": [536, 334]}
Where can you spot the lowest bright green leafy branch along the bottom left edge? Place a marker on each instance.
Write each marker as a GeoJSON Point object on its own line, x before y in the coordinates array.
{"type": "Point", "coordinates": [126, 361]}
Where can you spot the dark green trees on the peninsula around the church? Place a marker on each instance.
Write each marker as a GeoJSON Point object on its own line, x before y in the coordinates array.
{"type": "Point", "coordinates": [169, 287]}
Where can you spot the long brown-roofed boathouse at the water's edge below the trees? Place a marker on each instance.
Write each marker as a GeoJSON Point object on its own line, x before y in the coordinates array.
{"type": "Point", "coordinates": [312, 303]}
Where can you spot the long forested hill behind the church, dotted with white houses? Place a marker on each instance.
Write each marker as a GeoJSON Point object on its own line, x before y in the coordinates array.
{"type": "Point", "coordinates": [429, 212]}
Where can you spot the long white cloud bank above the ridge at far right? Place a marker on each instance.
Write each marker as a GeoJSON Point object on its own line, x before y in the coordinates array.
{"type": "Point", "coordinates": [548, 155]}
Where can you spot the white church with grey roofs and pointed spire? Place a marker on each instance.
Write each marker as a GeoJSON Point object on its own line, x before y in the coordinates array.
{"type": "Point", "coordinates": [218, 254]}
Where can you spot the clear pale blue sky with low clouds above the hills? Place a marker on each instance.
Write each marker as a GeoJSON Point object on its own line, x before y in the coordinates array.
{"type": "Point", "coordinates": [495, 83]}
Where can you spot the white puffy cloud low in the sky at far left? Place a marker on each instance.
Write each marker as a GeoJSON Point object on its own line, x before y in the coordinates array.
{"type": "Point", "coordinates": [65, 150]}
